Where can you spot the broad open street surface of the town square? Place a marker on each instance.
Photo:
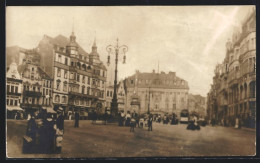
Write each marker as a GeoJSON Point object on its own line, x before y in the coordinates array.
{"type": "Point", "coordinates": [110, 140]}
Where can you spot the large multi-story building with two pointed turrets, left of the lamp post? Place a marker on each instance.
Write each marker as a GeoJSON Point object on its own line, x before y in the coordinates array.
{"type": "Point", "coordinates": [79, 78]}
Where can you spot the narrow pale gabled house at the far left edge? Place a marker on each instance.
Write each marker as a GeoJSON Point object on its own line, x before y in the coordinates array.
{"type": "Point", "coordinates": [13, 90]}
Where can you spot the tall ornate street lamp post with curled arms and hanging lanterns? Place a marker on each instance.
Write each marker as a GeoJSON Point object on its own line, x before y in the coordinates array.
{"type": "Point", "coordinates": [115, 50]}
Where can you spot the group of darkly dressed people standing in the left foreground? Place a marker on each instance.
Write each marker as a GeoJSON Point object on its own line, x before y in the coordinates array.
{"type": "Point", "coordinates": [46, 135]}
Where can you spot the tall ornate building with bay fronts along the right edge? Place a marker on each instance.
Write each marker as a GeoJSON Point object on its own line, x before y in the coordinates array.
{"type": "Point", "coordinates": [234, 83]}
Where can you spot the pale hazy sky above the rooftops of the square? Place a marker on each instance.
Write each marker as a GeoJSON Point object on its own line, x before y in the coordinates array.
{"type": "Point", "coordinates": [188, 40]}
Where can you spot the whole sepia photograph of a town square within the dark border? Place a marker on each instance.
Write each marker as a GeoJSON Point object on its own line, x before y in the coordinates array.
{"type": "Point", "coordinates": [130, 81]}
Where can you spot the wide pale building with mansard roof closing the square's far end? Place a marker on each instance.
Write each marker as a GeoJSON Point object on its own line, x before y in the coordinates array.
{"type": "Point", "coordinates": [160, 92]}
